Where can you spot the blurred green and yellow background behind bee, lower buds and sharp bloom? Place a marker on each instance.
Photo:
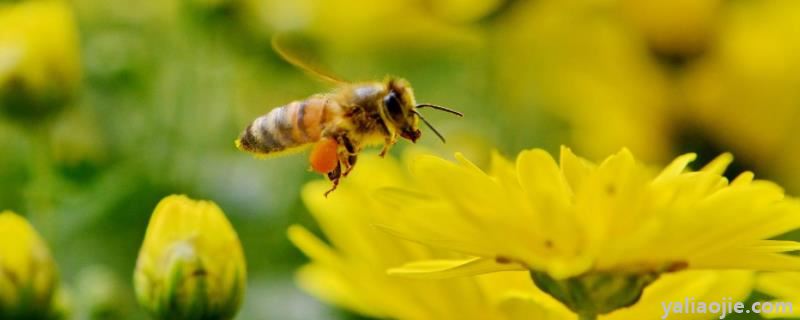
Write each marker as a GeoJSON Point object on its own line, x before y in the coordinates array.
{"type": "Point", "coordinates": [108, 106]}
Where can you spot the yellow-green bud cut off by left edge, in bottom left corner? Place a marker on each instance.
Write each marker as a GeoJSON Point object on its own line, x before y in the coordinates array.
{"type": "Point", "coordinates": [28, 275]}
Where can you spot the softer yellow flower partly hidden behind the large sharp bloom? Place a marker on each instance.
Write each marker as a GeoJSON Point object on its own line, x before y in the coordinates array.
{"type": "Point", "coordinates": [350, 271]}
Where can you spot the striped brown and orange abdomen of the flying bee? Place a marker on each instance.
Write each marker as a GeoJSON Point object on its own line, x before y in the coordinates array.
{"type": "Point", "coordinates": [289, 126]}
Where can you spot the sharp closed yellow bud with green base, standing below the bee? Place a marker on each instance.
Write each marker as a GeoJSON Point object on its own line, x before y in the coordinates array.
{"type": "Point", "coordinates": [191, 264]}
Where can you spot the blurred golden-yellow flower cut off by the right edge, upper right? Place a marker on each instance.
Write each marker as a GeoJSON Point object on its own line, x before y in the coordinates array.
{"type": "Point", "coordinates": [743, 92]}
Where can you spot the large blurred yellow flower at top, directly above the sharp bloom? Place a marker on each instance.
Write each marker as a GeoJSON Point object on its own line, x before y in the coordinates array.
{"type": "Point", "coordinates": [584, 64]}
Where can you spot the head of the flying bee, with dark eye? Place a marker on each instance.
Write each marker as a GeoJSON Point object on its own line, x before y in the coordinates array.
{"type": "Point", "coordinates": [398, 109]}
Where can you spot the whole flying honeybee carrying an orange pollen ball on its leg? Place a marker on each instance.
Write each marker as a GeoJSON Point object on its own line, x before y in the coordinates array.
{"type": "Point", "coordinates": [339, 124]}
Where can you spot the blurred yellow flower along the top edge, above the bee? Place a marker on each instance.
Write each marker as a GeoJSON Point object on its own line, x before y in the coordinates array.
{"type": "Point", "coordinates": [374, 26]}
